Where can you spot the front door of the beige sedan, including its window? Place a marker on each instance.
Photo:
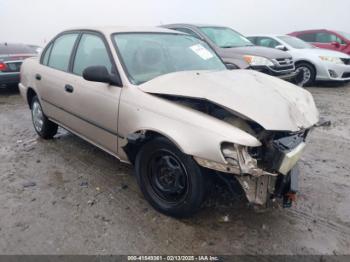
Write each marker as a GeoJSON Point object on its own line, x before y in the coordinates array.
{"type": "Point", "coordinates": [93, 105]}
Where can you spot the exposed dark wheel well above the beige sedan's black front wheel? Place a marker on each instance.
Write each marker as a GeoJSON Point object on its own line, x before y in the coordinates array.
{"type": "Point", "coordinates": [137, 140]}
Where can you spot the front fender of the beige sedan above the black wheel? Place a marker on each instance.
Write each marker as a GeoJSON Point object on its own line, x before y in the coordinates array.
{"type": "Point", "coordinates": [194, 133]}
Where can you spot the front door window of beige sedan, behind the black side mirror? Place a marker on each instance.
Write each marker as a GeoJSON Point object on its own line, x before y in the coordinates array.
{"type": "Point", "coordinates": [91, 52]}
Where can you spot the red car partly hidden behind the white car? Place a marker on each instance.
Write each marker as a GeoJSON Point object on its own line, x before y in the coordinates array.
{"type": "Point", "coordinates": [334, 40]}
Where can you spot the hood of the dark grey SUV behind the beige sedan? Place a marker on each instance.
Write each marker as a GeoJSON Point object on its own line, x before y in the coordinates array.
{"type": "Point", "coordinates": [253, 50]}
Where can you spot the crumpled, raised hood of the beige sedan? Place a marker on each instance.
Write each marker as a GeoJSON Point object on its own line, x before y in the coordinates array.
{"type": "Point", "coordinates": [273, 103]}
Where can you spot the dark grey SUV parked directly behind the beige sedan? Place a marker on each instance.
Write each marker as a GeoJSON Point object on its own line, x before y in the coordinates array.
{"type": "Point", "coordinates": [238, 52]}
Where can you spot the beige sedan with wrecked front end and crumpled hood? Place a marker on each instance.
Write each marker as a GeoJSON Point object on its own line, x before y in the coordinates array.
{"type": "Point", "coordinates": [165, 102]}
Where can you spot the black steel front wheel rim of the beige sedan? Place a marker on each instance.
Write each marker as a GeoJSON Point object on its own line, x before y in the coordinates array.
{"type": "Point", "coordinates": [167, 177]}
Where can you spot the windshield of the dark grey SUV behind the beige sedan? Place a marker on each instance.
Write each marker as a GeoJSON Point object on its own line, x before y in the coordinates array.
{"type": "Point", "coordinates": [225, 37]}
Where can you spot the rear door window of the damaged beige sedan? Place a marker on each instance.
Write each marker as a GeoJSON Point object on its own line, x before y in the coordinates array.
{"type": "Point", "coordinates": [61, 51]}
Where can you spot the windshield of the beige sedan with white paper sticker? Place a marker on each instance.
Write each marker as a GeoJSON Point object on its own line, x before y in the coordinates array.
{"type": "Point", "coordinates": [148, 55]}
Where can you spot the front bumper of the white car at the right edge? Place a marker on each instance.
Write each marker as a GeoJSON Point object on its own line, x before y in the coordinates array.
{"type": "Point", "coordinates": [333, 72]}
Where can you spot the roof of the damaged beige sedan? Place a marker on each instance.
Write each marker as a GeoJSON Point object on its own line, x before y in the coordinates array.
{"type": "Point", "coordinates": [124, 29]}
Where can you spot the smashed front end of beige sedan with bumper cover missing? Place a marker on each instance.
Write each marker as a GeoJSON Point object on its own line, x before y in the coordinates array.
{"type": "Point", "coordinates": [266, 173]}
